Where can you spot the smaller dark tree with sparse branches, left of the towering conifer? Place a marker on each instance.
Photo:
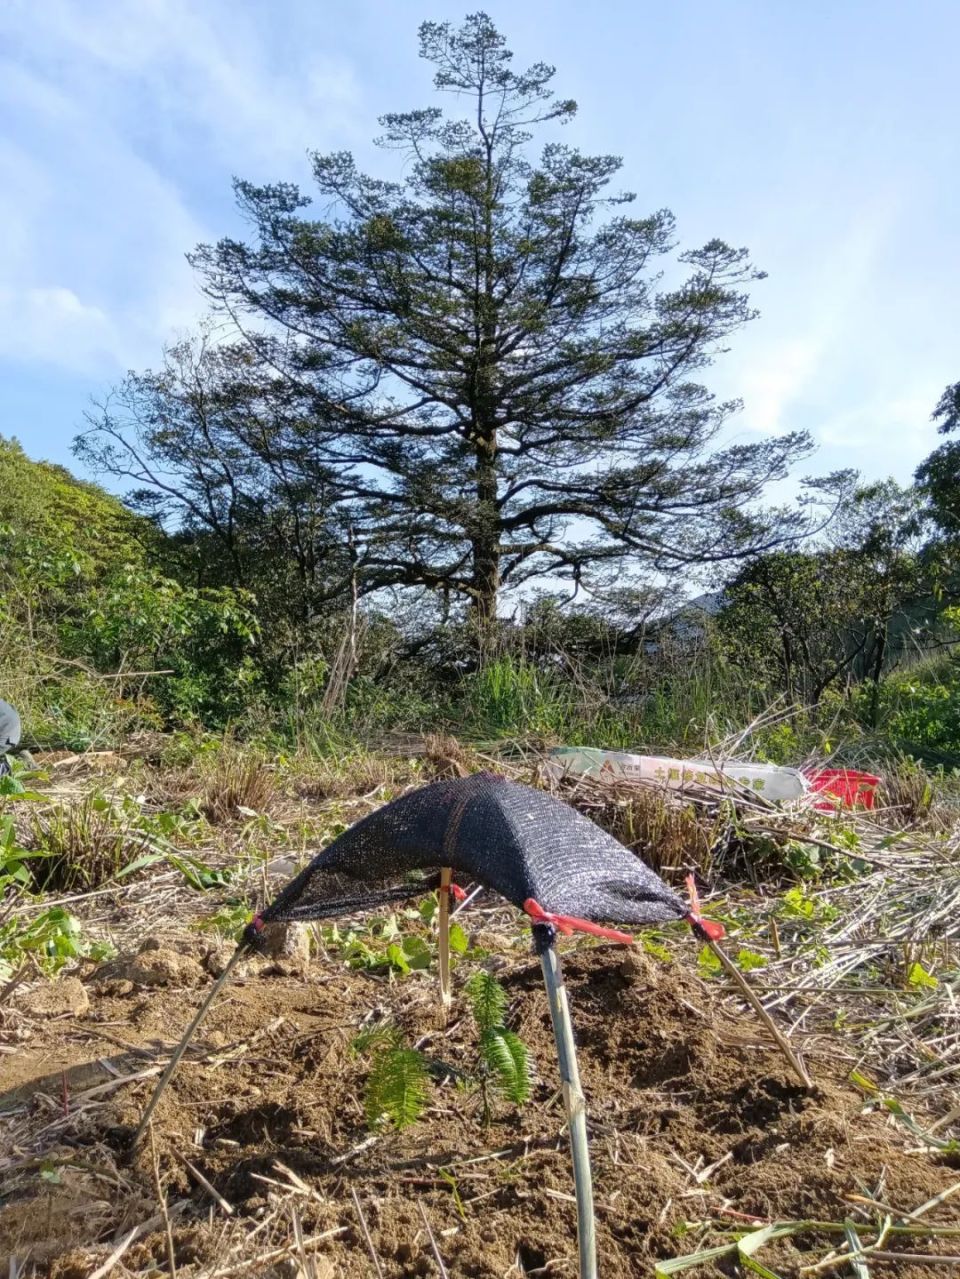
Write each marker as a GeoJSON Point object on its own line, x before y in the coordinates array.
{"type": "Point", "coordinates": [227, 459]}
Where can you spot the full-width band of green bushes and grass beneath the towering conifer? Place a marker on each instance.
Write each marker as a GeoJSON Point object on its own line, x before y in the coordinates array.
{"type": "Point", "coordinates": [100, 641]}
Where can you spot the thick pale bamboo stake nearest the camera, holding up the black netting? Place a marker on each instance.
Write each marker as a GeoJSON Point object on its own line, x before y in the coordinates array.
{"type": "Point", "coordinates": [544, 938]}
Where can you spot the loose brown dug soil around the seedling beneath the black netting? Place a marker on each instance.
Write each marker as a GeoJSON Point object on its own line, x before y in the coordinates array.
{"type": "Point", "coordinates": [696, 1131]}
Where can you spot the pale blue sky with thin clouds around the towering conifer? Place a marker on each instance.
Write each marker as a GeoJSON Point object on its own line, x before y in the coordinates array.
{"type": "Point", "coordinates": [824, 136]}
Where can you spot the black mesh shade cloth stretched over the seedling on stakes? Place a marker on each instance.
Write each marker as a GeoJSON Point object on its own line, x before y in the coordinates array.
{"type": "Point", "coordinates": [517, 841]}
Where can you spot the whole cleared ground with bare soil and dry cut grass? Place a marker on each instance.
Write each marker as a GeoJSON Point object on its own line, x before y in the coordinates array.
{"type": "Point", "coordinates": [261, 1159]}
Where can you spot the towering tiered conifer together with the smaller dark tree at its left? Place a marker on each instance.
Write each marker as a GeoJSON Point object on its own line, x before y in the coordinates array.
{"type": "Point", "coordinates": [470, 379]}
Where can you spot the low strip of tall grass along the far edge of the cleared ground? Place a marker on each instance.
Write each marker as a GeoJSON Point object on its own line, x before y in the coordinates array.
{"type": "Point", "coordinates": [685, 696]}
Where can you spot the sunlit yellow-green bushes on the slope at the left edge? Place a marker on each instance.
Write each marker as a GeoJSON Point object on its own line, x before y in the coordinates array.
{"type": "Point", "coordinates": [86, 618]}
